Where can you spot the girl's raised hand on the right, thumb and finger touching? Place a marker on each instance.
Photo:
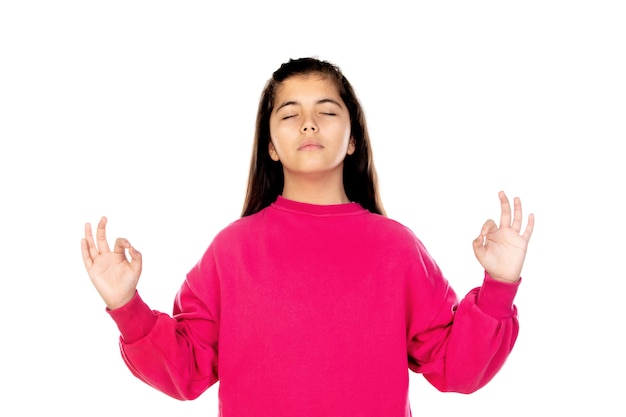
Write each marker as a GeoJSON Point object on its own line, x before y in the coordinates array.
{"type": "Point", "coordinates": [502, 250]}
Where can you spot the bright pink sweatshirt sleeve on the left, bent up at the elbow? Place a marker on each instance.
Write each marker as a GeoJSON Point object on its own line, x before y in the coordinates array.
{"type": "Point", "coordinates": [175, 354]}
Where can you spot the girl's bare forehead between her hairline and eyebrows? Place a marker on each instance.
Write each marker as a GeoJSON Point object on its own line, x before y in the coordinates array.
{"type": "Point", "coordinates": [299, 87]}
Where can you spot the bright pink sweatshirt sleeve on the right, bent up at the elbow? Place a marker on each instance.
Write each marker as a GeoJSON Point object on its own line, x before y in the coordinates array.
{"type": "Point", "coordinates": [459, 345]}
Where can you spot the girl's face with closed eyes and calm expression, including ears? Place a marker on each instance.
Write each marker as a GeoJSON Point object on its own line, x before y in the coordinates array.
{"type": "Point", "coordinates": [310, 127]}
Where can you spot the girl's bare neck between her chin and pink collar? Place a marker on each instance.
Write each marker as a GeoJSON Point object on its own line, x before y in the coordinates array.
{"type": "Point", "coordinates": [315, 191]}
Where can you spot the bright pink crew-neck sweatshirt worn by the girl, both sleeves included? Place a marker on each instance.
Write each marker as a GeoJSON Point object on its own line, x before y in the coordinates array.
{"type": "Point", "coordinates": [307, 310]}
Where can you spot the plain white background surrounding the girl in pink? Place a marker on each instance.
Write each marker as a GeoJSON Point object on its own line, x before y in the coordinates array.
{"type": "Point", "coordinates": [143, 111]}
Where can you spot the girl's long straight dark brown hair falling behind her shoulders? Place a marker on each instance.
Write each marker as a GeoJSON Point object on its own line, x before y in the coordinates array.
{"type": "Point", "coordinates": [266, 178]}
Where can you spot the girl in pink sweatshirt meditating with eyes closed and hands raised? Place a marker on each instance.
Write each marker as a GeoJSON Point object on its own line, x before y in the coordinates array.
{"type": "Point", "coordinates": [314, 303]}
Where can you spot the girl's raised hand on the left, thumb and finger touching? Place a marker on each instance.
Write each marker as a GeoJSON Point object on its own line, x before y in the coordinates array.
{"type": "Point", "coordinates": [113, 275]}
